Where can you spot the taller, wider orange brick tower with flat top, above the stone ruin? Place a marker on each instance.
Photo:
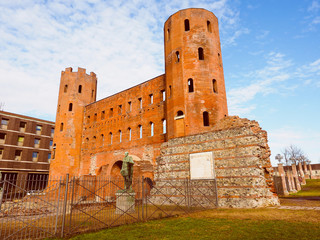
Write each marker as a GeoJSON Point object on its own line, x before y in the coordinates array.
{"type": "Point", "coordinates": [196, 96]}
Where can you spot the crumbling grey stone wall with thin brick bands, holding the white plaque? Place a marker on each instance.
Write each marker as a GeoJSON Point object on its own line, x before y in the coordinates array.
{"type": "Point", "coordinates": [241, 157]}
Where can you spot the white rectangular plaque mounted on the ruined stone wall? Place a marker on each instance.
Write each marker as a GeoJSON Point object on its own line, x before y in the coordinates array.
{"type": "Point", "coordinates": [201, 166]}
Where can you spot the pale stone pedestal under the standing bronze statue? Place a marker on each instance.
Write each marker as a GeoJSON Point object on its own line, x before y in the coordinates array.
{"type": "Point", "coordinates": [125, 203]}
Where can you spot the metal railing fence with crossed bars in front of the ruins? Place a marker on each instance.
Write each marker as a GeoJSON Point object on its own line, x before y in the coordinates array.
{"type": "Point", "coordinates": [37, 207]}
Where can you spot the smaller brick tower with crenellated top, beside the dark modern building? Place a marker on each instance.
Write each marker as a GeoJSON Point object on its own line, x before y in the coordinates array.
{"type": "Point", "coordinates": [77, 89]}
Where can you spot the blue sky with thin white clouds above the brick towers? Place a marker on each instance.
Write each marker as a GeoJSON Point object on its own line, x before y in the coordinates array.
{"type": "Point", "coordinates": [270, 51]}
